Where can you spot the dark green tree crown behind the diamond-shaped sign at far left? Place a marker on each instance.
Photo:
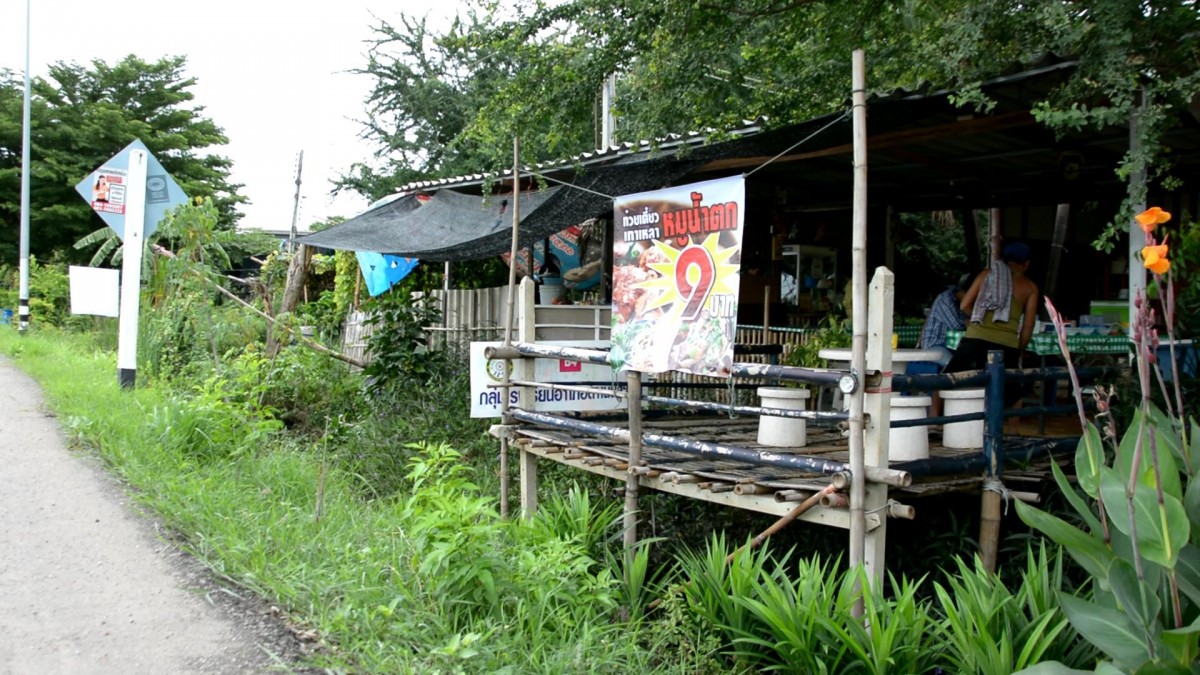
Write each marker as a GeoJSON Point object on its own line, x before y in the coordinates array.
{"type": "Point", "coordinates": [81, 117]}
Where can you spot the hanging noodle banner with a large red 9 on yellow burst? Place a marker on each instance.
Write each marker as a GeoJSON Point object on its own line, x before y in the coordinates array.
{"type": "Point", "coordinates": [677, 256]}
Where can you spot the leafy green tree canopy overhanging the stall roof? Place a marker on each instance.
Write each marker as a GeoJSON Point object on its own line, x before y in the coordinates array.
{"type": "Point", "coordinates": [454, 101]}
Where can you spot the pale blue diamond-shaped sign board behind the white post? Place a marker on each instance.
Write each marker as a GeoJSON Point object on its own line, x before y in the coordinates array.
{"type": "Point", "coordinates": [106, 189]}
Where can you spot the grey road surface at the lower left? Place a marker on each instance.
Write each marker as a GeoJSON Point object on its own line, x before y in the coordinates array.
{"type": "Point", "coordinates": [86, 584]}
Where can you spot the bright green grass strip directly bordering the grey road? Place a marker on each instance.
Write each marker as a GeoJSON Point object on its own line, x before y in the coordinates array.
{"type": "Point", "coordinates": [431, 582]}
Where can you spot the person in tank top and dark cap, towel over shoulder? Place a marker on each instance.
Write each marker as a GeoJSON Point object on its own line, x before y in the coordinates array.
{"type": "Point", "coordinates": [1003, 303]}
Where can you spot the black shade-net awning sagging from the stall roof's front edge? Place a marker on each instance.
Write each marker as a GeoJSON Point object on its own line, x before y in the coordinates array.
{"type": "Point", "coordinates": [453, 226]}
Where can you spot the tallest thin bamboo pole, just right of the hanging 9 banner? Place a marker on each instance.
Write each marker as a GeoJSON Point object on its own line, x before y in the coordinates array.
{"type": "Point", "coordinates": [859, 344]}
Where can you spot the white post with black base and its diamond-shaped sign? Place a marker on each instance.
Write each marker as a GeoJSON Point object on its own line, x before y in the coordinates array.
{"type": "Point", "coordinates": [131, 194]}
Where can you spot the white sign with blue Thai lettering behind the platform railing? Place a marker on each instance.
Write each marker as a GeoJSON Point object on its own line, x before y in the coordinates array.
{"type": "Point", "coordinates": [485, 374]}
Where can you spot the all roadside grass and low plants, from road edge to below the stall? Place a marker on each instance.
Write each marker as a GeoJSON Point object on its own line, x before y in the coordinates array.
{"type": "Point", "coordinates": [395, 555]}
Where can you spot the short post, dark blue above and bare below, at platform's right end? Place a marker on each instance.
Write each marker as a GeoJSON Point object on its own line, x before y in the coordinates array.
{"type": "Point", "coordinates": [994, 456]}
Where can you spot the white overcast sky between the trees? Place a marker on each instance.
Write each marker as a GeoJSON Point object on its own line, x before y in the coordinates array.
{"type": "Point", "coordinates": [273, 75]}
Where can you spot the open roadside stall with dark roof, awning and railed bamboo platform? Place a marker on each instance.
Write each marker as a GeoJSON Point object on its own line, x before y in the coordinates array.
{"type": "Point", "coordinates": [926, 154]}
